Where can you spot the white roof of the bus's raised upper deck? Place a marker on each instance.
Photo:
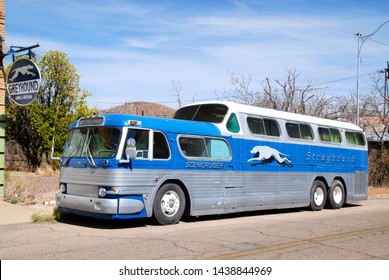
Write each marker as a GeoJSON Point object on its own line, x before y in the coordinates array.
{"type": "Point", "coordinates": [264, 112]}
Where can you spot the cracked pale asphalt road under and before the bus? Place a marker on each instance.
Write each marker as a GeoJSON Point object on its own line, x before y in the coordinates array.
{"type": "Point", "coordinates": [353, 232]}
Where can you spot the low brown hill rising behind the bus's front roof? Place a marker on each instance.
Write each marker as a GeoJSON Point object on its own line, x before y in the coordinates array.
{"type": "Point", "coordinates": [143, 109]}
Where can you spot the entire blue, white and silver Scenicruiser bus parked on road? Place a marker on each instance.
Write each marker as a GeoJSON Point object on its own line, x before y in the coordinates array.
{"type": "Point", "coordinates": [211, 158]}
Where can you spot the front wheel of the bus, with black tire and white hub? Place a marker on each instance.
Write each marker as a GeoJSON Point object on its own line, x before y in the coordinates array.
{"type": "Point", "coordinates": [169, 204]}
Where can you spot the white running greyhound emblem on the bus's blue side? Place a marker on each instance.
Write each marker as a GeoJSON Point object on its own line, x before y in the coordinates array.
{"type": "Point", "coordinates": [266, 154]}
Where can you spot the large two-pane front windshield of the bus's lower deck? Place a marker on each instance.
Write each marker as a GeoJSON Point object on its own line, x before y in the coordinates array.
{"type": "Point", "coordinates": [94, 142]}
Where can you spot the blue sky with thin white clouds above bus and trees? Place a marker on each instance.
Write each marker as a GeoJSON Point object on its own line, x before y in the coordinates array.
{"type": "Point", "coordinates": [129, 50]}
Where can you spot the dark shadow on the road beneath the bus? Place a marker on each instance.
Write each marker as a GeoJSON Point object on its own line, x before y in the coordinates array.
{"type": "Point", "coordinates": [148, 222]}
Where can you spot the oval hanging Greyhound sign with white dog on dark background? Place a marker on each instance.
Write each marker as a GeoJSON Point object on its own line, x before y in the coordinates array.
{"type": "Point", "coordinates": [23, 81]}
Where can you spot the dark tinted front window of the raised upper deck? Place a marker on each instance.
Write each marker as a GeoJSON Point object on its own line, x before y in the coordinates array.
{"type": "Point", "coordinates": [213, 113]}
